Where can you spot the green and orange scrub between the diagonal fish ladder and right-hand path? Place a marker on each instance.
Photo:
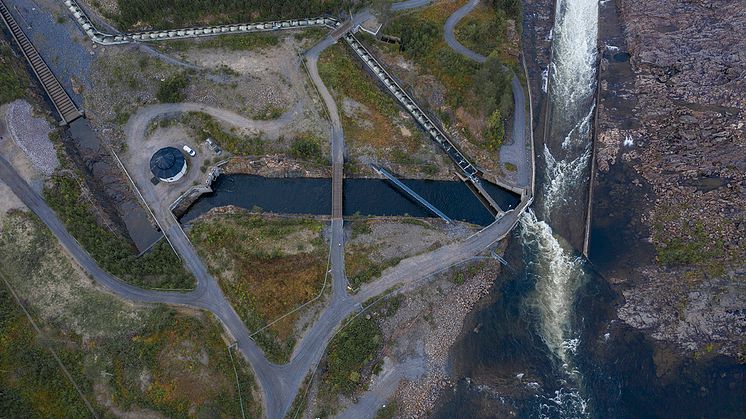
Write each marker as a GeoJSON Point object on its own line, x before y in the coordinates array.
{"type": "Point", "coordinates": [482, 90]}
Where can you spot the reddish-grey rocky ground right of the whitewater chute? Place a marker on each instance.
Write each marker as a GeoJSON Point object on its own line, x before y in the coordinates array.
{"type": "Point", "coordinates": [678, 121]}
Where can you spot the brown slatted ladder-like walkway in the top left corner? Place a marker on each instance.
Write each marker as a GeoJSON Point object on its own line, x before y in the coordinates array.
{"type": "Point", "coordinates": [60, 99]}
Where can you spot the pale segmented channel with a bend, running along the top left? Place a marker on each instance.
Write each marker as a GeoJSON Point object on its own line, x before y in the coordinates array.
{"type": "Point", "coordinates": [161, 35]}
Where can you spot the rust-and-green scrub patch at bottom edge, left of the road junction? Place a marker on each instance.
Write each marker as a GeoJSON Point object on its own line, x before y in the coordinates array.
{"type": "Point", "coordinates": [174, 352]}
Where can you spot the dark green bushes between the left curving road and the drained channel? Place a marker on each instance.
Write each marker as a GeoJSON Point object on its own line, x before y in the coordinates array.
{"type": "Point", "coordinates": [159, 268]}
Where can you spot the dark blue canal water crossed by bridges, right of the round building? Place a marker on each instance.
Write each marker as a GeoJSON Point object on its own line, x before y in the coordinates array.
{"type": "Point", "coordinates": [361, 196]}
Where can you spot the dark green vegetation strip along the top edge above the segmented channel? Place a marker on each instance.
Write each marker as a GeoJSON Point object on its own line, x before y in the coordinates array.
{"type": "Point", "coordinates": [167, 14]}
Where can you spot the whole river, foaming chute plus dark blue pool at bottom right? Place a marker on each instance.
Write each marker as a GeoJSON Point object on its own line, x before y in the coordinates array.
{"type": "Point", "coordinates": [546, 342]}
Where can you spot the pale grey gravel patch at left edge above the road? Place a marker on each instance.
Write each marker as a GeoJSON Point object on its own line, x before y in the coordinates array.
{"type": "Point", "coordinates": [31, 134]}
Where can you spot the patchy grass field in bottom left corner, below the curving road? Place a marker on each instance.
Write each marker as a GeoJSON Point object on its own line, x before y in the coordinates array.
{"type": "Point", "coordinates": [122, 356]}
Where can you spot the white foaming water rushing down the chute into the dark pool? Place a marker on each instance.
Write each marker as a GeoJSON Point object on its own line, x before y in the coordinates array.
{"type": "Point", "coordinates": [554, 265]}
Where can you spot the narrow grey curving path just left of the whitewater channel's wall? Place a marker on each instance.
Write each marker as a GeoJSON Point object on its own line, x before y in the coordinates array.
{"type": "Point", "coordinates": [514, 151]}
